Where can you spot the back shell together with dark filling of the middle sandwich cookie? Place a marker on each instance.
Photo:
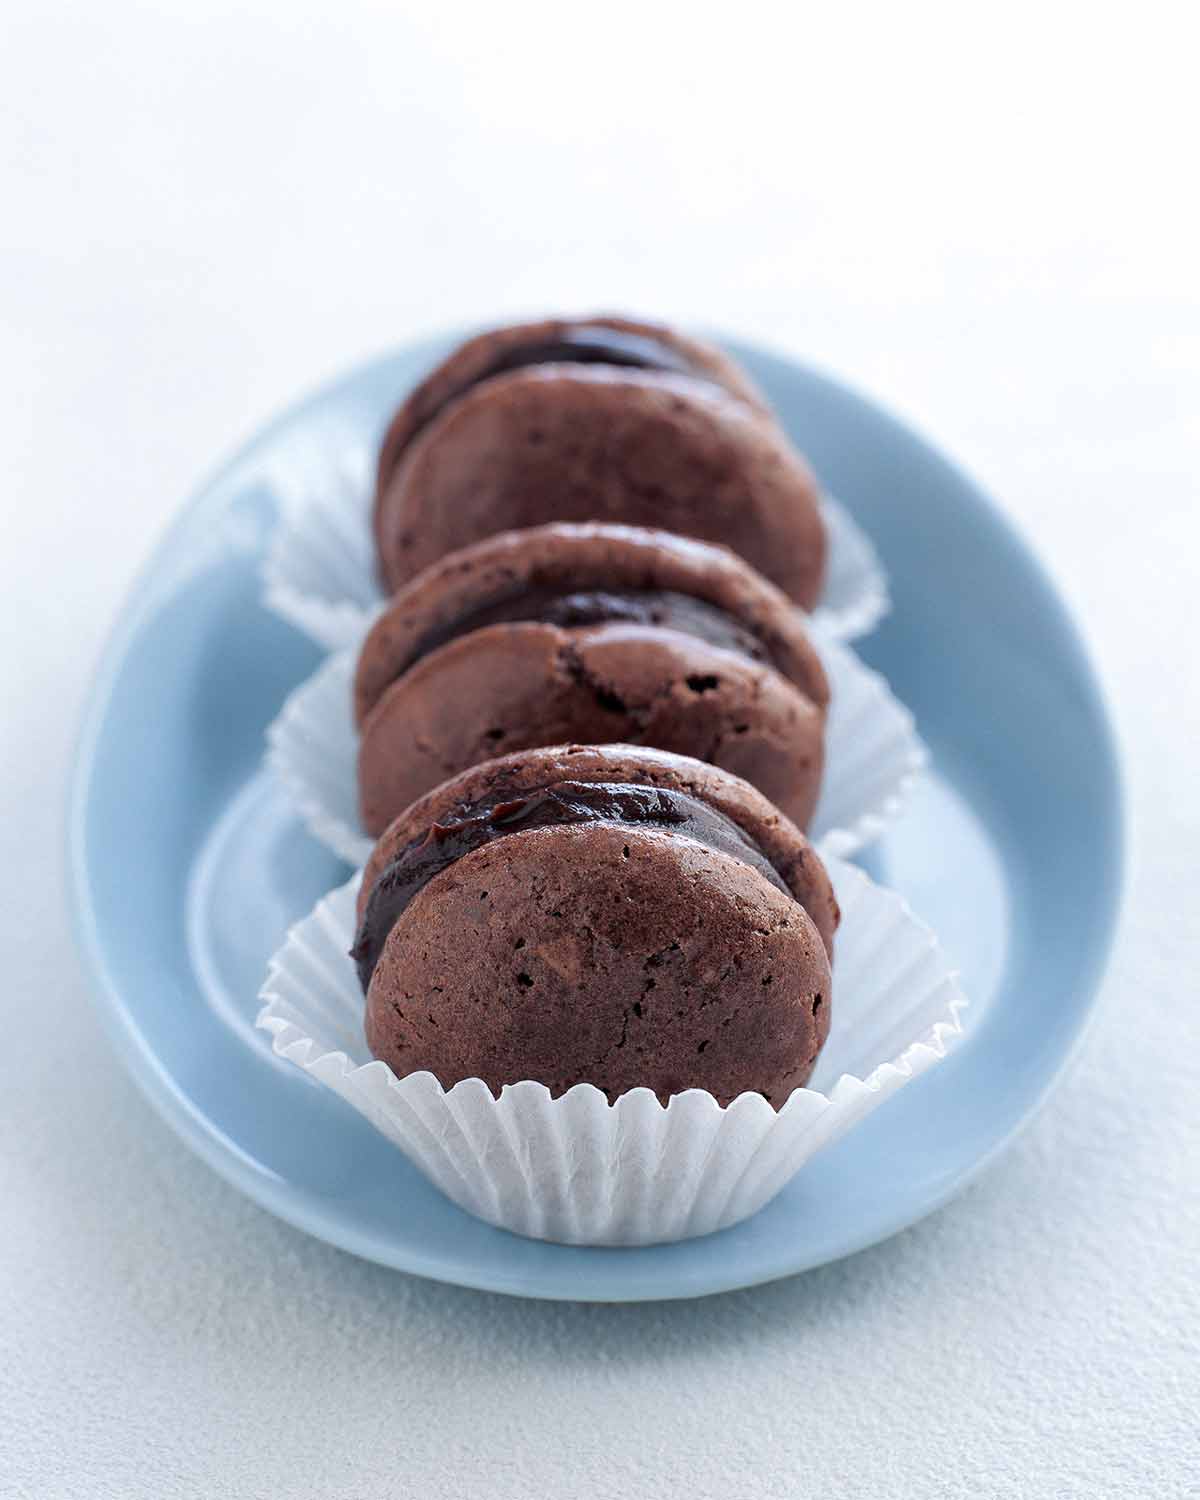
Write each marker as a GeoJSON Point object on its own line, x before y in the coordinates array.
{"type": "Point", "coordinates": [578, 575]}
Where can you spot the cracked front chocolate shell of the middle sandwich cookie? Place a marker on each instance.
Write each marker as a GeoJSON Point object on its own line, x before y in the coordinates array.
{"type": "Point", "coordinates": [517, 686]}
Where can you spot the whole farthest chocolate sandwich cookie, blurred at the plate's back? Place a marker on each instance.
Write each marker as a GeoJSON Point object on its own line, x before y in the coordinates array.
{"type": "Point", "coordinates": [598, 419]}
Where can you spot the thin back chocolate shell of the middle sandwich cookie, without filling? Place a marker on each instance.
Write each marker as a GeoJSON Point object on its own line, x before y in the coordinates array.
{"type": "Point", "coordinates": [574, 557]}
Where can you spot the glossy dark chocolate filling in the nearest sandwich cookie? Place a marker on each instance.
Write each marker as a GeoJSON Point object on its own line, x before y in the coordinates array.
{"type": "Point", "coordinates": [559, 806]}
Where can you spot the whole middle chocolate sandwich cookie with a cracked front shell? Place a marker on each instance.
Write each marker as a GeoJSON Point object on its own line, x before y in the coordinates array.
{"type": "Point", "coordinates": [589, 634]}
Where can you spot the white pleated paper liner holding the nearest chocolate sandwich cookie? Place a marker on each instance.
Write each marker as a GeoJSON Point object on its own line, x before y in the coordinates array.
{"type": "Point", "coordinates": [584, 1172]}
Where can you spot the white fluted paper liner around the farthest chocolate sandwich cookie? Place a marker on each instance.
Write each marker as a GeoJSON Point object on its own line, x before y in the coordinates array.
{"type": "Point", "coordinates": [320, 568]}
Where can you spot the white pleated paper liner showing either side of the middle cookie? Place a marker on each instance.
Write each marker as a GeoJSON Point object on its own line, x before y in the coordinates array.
{"type": "Point", "coordinates": [872, 755]}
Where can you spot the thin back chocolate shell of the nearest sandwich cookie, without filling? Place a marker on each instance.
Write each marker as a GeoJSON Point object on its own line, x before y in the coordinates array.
{"type": "Point", "coordinates": [776, 835]}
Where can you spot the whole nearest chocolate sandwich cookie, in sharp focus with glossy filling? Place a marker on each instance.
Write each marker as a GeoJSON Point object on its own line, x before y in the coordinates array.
{"type": "Point", "coordinates": [608, 916]}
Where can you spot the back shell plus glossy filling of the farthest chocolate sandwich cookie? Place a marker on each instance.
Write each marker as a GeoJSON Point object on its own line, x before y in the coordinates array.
{"type": "Point", "coordinates": [604, 340]}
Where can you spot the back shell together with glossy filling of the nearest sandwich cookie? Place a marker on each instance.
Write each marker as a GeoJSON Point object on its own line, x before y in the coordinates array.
{"type": "Point", "coordinates": [566, 785]}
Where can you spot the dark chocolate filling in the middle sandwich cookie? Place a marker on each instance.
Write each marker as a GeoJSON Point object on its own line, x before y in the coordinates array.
{"type": "Point", "coordinates": [662, 608]}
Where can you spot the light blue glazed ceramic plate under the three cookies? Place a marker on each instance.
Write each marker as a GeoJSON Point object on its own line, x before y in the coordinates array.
{"type": "Point", "coordinates": [188, 865]}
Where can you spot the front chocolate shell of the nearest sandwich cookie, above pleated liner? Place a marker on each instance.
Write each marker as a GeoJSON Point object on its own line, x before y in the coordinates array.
{"type": "Point", "coordinates": [616, 956]}
